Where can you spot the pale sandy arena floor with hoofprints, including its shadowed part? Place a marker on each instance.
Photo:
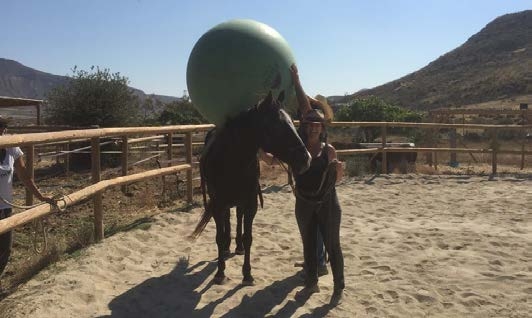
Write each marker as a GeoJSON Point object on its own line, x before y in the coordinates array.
{"type": "Point", "coordinates": [414, 246]}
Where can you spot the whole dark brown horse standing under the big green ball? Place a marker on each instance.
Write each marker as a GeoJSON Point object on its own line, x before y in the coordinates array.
{"type": "Point", "coordinates": [229, 172]}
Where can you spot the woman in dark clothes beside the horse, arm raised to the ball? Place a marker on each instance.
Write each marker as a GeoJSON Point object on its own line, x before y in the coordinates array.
{"type": "Point", "coordinates": [317, 208]}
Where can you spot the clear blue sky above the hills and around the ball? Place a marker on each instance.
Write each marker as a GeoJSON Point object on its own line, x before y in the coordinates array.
{"type": "Point", "coordinates": [340, 47]}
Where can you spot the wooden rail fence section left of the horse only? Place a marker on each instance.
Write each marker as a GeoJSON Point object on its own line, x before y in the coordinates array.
{"type": "Point", "coordinates": [29, 141]}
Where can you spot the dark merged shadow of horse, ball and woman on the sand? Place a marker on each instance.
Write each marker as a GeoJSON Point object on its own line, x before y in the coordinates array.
{"type": "Point", "coordinates": [175, 295]}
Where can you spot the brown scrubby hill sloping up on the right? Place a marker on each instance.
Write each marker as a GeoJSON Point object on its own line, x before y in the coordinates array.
{"type": "Point", "coordinates": [493, 64]}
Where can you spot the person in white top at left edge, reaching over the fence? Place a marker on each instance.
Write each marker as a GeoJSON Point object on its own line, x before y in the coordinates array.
{"type": "Point", "coordinates": [11, 160]}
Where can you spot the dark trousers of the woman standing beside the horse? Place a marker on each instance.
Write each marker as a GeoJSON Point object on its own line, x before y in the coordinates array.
{"type": "Point", "coordinates": [326, 217]}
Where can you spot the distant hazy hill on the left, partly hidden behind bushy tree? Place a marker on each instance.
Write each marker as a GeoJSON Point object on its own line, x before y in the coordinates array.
{"type": "Point", "coordinates": [17, 80]}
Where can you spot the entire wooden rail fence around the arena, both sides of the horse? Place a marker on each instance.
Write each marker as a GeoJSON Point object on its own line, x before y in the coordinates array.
{"type": "Point", "coordinates": [126, 134]}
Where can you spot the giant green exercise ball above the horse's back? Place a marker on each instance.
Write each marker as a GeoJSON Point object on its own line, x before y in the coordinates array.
{"type": "Point", "coordinates": [234, 65]}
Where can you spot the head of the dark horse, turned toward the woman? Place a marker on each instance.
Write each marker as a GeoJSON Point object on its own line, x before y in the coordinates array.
{"type": "Point", "coordinates": [278, 136]}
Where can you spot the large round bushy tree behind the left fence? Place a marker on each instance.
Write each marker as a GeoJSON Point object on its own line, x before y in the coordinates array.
{"type": "Point", "coordinates": [98, 97]}
